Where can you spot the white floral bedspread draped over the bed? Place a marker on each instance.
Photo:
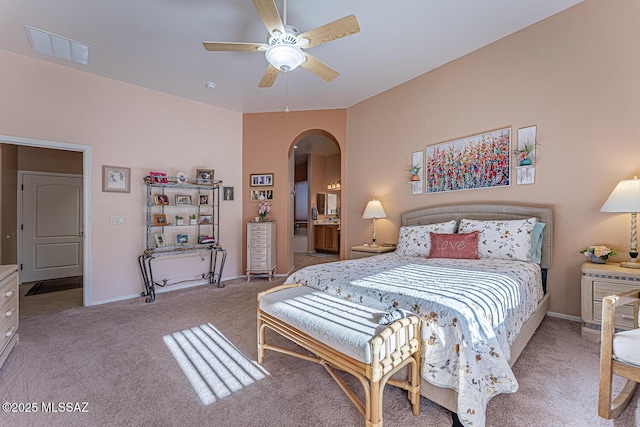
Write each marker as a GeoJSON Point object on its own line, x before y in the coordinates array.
{"type": "Point", "coordinates": [472, 310]}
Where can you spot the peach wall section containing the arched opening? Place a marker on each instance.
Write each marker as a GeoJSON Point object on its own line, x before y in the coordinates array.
{"type": "Point", "coordinates": [268, 140]}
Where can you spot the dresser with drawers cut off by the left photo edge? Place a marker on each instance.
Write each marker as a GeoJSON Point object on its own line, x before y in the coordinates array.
{"type": "Point", "coordinates": [8, 310]}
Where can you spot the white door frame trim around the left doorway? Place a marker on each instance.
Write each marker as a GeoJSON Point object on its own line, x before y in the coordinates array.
{"type": "Point", "coordinates": [86, 195]}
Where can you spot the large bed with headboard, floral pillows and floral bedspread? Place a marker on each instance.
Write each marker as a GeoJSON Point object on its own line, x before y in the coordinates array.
{"type": "Point", "coordinates": [471, 334]}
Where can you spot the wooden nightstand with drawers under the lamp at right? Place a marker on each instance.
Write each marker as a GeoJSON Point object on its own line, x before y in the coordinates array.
{"type": "Point", "coordinates": [599, 281]}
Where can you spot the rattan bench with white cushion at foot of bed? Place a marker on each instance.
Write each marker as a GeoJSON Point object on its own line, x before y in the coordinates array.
{"type": "Point", "coordinates": [345, 336]}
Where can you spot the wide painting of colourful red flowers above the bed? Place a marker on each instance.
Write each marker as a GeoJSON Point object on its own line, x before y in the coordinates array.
{"type": "Point", "coordinates": [477, 161]}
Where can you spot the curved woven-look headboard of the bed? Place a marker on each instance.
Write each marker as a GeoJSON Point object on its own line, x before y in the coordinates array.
{"type": "Point", "coordinates": [488, 212]}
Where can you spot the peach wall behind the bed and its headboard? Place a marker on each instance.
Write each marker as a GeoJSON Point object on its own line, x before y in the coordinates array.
{"type": "Point", "coordinates": [574, 75]}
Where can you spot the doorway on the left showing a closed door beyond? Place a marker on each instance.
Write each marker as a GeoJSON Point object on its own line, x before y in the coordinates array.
{"type": "Point", "coordinates": [54, 248]}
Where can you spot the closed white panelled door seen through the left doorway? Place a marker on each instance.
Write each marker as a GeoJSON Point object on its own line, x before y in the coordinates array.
{"type": "Point", "coordinates": [51, 226]}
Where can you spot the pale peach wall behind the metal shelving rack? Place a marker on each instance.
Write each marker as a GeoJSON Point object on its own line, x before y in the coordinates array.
{"type": "Point", "coordinates": [126, 126]}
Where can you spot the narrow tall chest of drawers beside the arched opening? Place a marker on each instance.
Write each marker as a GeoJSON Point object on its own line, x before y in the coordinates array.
{"type": "Point", "coordinates": [261, 248]}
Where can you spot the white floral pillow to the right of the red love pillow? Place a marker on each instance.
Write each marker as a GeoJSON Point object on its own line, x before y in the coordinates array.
{"type": "Point", "coordinates": [502, 239]}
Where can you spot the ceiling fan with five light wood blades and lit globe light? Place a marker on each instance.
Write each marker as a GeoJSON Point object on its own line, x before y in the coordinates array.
{"type": "Point", "coordinates": [284, 45]}
